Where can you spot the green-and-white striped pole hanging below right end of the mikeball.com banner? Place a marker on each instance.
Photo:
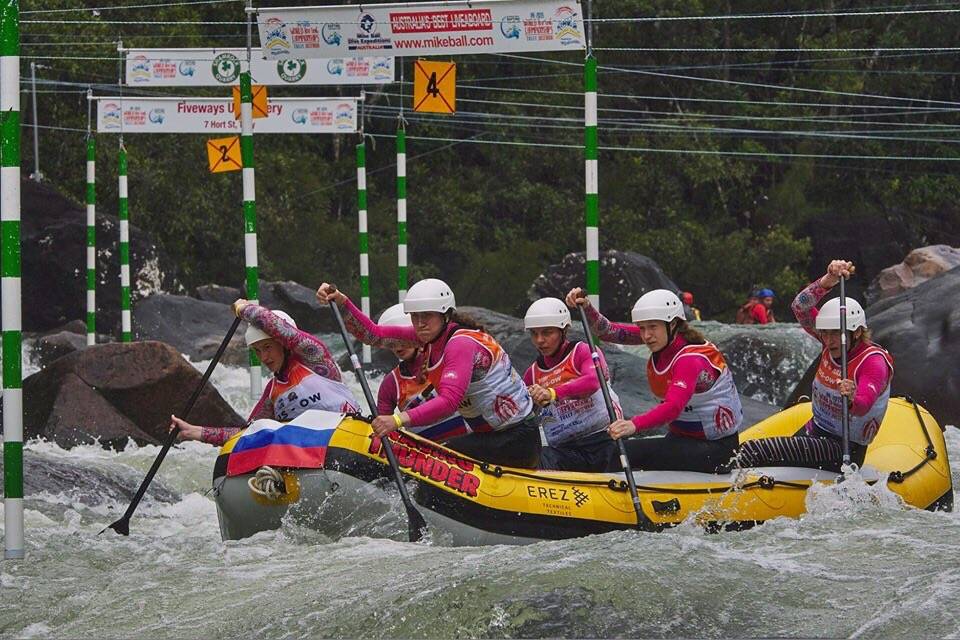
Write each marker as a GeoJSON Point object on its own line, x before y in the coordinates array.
{"type": "Point", "coordinates": [592, 197]}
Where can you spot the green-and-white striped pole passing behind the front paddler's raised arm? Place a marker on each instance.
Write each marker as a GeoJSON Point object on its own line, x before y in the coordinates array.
{"type": "Point", "coordinates": [249, 214]}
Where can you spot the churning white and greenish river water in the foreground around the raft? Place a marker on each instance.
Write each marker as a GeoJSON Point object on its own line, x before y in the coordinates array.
{"type": "Point", "coordinates": [857, 565]}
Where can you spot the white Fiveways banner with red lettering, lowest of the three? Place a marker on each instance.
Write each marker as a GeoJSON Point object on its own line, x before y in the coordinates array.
{"type": "Point", "coordinates": [215, 115]}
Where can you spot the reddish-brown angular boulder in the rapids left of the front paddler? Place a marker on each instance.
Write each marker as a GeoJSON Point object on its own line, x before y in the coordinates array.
{"type": "Point", "coordinates": [117, 391]}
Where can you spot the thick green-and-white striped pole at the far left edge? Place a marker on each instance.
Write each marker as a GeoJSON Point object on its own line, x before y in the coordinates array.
{"type": "Point", "coordinates": [10, 278]}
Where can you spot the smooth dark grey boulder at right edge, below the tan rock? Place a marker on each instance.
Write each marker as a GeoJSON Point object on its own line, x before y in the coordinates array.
{"type": "Point", "coordinates": [921, 329]}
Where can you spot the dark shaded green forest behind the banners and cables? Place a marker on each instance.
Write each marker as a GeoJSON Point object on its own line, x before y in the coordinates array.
{"type": "Point", "coordinates": [489, 217]}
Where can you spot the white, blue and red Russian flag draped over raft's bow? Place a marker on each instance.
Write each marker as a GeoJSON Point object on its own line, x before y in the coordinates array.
{"type": "Point", "coordinates": [300, 443]}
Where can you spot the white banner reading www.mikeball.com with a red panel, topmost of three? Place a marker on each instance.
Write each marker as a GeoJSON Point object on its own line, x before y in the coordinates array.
{"type": "Point", "coordinates": [421, 29]}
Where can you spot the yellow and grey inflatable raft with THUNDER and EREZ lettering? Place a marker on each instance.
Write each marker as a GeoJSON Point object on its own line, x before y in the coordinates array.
{"type": "Point", "coordinates": [478, 503]}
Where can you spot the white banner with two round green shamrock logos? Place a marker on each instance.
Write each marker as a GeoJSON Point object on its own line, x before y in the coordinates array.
{"type": "Point", "coordinates": [220, 67]}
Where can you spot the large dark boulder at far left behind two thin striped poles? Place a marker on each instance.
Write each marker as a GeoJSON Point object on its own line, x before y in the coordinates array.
{"type": "Point", "coordinates": [53, 240]}
